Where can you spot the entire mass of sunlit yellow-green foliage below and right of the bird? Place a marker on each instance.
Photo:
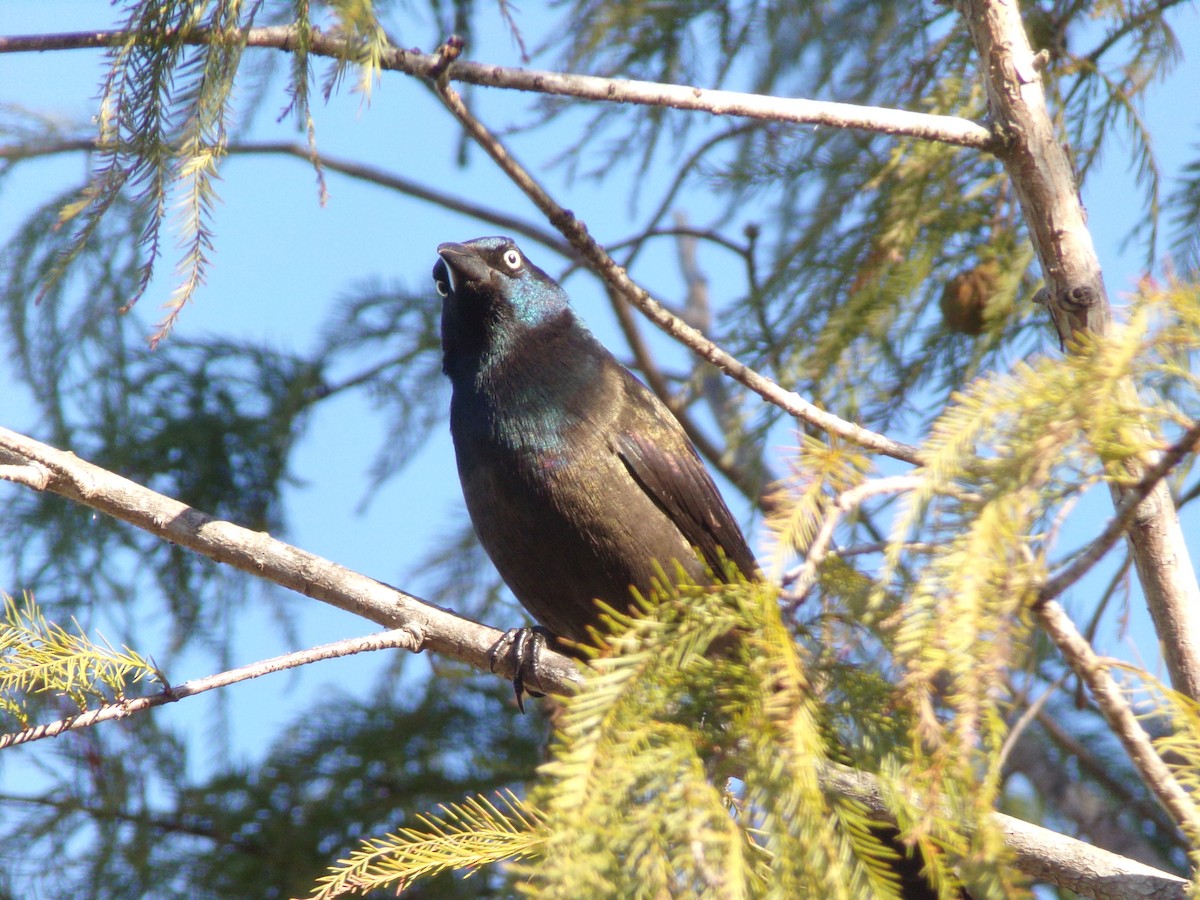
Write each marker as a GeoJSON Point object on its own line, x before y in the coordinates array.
{"type": "Point", "coordinates": [692, 761]}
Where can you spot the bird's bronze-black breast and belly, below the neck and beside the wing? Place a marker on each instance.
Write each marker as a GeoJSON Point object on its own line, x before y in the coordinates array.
{"type": "Point", "coordinates": [555, 505]}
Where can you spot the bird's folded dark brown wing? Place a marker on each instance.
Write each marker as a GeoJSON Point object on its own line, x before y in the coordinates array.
{"type": "Point", "coordinates": [667, 467]}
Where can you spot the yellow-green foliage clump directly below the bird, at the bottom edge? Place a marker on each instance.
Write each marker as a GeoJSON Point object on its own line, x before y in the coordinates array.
{"type": "Point", "coordinates": [691, 764]}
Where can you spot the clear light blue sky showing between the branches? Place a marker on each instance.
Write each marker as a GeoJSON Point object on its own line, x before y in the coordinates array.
{"type": "Point", "coordinates": [283, 259]}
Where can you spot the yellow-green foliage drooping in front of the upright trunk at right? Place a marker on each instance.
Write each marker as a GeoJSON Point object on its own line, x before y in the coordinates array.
{"type": "Point", "coordinates": [1003, 461]}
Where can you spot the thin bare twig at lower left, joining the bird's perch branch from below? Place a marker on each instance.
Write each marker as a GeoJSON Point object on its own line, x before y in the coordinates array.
{"type": "Point", "coordinates": [399, 639]}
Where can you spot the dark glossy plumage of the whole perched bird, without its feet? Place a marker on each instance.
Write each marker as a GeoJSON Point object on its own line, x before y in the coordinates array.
{"type": "Point", "coordinates": [577, 477]}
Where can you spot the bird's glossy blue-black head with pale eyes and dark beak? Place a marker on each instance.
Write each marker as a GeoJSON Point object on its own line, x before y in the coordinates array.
{"type": "Point", "coordinates": [491, 295]}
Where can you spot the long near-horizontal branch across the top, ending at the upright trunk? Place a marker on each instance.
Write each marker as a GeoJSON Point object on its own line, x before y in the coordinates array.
{"type": "Point", "coordinates": [947, 129]}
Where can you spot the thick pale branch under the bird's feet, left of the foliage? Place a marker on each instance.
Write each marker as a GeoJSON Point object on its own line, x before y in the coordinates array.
{"type": "Point", "coordinates": [44, 469]}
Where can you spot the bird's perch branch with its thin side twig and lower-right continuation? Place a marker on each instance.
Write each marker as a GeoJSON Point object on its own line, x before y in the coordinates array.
{"type": "Point", "coordinates": [419, 626]}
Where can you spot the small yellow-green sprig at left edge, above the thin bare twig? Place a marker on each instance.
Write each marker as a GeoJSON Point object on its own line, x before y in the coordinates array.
{"type": "Point", "coordinates": [38, 657]}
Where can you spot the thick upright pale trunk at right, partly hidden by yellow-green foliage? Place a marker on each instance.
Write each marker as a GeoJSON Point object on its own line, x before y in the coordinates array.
{"type": "Point", "coordinates": [1045, 184]}
